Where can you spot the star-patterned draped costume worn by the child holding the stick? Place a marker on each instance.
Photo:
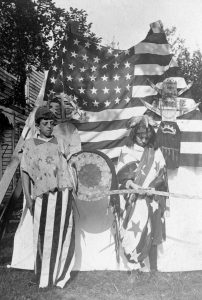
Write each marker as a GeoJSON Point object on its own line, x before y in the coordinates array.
{"type": "Point", "coordinates": [143, 223]}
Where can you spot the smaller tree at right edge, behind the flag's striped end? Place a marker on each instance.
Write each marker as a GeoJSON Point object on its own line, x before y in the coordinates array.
{"type": "Point", "coordinates": [189, 63]}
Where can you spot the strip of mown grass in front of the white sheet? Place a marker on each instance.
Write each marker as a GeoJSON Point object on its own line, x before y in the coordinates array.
{"type": "Point", "coordinates": [99, 285]}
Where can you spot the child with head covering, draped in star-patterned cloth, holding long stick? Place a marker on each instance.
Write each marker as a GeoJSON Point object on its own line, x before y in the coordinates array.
{"type": "Point", "coordinates": [141, 165]}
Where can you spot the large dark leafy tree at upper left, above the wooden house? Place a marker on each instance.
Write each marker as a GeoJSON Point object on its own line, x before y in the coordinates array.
{"type": "Point", "coordinates": [27, 30]}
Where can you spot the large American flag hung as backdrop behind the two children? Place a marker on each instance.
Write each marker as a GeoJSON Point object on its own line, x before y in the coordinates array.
{"type": "Point", "coordinates": [108, 84]}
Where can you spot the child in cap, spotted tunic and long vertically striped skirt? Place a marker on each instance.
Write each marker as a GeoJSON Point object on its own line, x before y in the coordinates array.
{"type": "Point", "coordinates": [44, 167]}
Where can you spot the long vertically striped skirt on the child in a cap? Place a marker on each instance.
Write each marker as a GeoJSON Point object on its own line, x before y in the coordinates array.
{"type": "Point", "coordinates": [54, 238]}
